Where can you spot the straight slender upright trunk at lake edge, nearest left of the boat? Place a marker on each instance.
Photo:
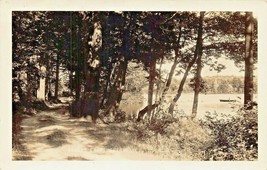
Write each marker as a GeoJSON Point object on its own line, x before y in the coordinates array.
{"type": "Point", "coordinates": [199, 65]}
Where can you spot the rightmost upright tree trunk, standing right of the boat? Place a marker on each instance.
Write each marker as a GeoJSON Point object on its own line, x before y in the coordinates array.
{"type": "Point", "coordinates": [248, 81]}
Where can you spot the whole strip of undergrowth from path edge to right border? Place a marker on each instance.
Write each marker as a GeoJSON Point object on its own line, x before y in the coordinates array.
{"type": "Point", "coordinates": [217, 137]}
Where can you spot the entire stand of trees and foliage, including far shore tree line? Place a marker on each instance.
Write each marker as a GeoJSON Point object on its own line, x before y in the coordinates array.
{"type": "Point", "coordinates": [95, 48]}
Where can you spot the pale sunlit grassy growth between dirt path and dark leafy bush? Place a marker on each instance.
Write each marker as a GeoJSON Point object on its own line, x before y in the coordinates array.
{"type": "Point", "coordinates": [177, 139]}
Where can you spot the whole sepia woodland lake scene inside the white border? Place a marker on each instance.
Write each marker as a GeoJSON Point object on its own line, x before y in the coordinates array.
{"type": "Point", "coordinates": [134, 85]}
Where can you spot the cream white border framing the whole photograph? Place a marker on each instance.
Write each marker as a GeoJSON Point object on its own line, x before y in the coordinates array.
{"type": "Point", "coordinates": [6, 8]}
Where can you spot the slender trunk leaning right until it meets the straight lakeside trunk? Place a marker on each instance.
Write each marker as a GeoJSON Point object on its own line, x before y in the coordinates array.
{"type": "Point", "coordinates": [180, 89]}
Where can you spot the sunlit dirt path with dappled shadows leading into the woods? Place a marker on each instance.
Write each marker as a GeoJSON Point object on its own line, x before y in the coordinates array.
{"type": "Point", "coordinates": [53, 135]}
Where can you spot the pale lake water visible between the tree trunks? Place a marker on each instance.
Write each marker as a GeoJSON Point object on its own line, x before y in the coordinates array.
{"type": "Point", "coordinates": [206, 103]}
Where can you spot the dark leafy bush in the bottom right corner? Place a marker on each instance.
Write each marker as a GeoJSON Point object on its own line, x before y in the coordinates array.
{"type": "Point", "coordinates": [236, 136]}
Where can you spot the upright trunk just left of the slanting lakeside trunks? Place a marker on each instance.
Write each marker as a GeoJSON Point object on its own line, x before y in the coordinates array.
{"type": "Point", "coordinates": [152, 74]}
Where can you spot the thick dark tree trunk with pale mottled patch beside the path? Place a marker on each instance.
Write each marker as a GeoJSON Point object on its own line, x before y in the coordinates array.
{"type": "Point", "coordinates": [88, 104]}
